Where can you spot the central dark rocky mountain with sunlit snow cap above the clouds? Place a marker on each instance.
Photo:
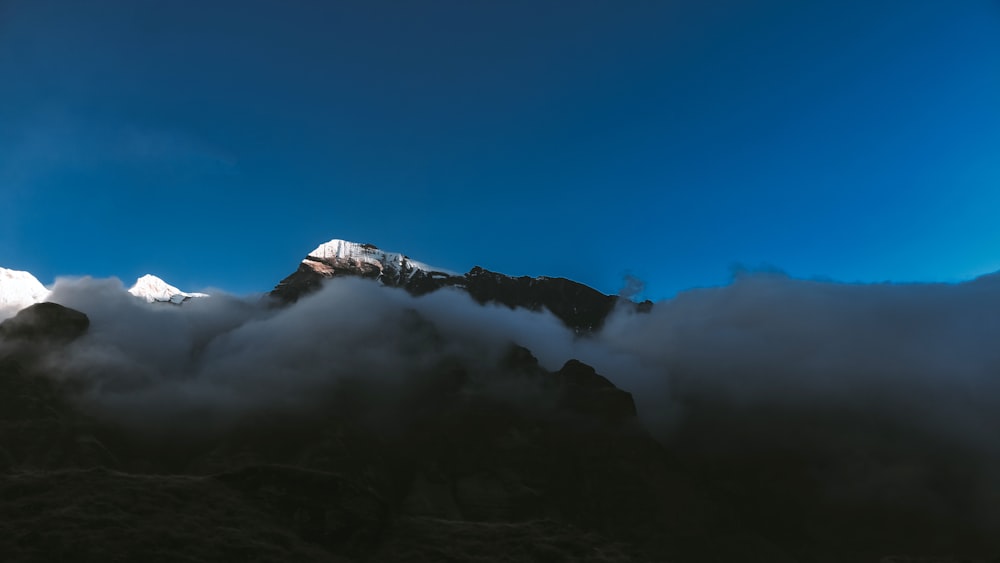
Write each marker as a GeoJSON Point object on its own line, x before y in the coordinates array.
{"type": "Point", "coordinates": [578, 306]}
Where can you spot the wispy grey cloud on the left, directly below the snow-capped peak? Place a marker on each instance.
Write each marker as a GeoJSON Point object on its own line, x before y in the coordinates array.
{"type": "Point", "coordinates": [153, 364]}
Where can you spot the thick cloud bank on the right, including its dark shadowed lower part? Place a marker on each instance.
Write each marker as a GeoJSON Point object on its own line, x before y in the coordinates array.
{"type": "Point", "coordinates": [883, 394]}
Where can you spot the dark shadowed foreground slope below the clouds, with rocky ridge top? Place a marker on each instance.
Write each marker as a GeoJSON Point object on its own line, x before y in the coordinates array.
{"type": "Point", "coordinates": [509, 462]}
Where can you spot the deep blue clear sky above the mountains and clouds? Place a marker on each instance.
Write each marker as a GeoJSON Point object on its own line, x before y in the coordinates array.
{"type": "Point", "coordinates": [214, 143]}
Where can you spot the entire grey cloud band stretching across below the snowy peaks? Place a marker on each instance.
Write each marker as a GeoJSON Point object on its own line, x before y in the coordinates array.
{"type": "Point", "coordinates": [766, 340]}
